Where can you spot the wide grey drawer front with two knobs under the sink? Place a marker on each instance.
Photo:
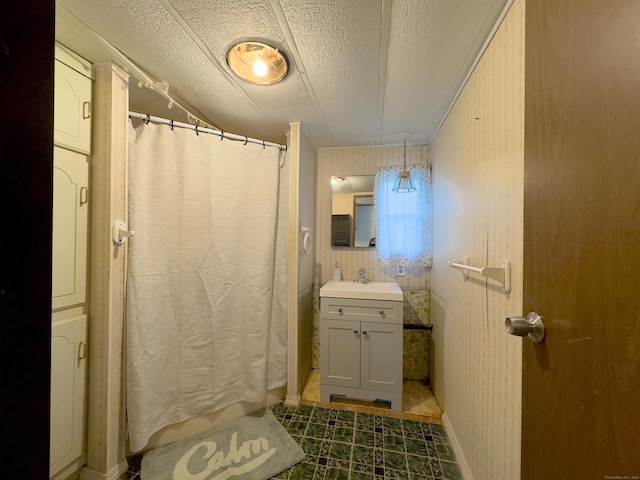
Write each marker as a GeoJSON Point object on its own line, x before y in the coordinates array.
{"type": "Point", "coordinates": [368, 310]}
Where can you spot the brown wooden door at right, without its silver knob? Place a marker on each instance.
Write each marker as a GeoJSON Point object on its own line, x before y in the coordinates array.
{"type": "Point", "coordinates": [581, 386]}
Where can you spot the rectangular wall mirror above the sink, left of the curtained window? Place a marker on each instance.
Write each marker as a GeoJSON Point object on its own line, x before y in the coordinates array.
{"type": "Point", "coordinates": [353, 216]}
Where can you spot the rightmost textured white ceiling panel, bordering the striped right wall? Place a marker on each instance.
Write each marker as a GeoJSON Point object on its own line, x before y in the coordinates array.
{"type": "Point", "coordinates": [431, 51]}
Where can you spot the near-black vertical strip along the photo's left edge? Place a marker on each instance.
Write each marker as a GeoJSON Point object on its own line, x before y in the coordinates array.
{"type": "Point", "coordinates": [26, 158]}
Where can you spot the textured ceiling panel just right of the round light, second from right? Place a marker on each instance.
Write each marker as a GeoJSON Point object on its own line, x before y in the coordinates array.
{"type": "Point", "coordinates": [339, 48]}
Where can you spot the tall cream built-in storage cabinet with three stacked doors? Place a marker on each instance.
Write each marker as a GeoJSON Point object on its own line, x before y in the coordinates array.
{"type": "Point", "coordinates": [72, 145]}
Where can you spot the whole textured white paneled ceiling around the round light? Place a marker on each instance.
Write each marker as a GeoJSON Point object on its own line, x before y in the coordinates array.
{"type": "Point", "coordinates": [362, 71]}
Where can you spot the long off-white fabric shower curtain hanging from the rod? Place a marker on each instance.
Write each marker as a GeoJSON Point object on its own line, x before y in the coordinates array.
{"type": "Point", "coordinates": [206, 300]}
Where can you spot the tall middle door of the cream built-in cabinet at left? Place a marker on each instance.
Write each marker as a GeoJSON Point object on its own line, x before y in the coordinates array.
{"type": "Point", "coordinates": [70, 213]}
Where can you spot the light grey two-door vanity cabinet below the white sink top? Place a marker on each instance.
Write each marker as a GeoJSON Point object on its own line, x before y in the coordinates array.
{"type": "Point", "coordinates": [361, 350]}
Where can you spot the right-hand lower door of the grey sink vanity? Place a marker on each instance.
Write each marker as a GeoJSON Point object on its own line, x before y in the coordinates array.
{"type": "Point", "coordinates": [381, 362]}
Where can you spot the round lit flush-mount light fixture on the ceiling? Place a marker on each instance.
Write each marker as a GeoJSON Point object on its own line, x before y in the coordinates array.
{"type": "Point", "coordinates": [258, 62]}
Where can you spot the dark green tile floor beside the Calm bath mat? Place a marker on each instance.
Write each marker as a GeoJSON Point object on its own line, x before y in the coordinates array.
{"type": "Point", "coordinates": [352, 445]}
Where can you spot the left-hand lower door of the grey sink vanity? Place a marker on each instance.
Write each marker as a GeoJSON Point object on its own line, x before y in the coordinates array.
{"type": "Point", "coordinates": [340, 353]}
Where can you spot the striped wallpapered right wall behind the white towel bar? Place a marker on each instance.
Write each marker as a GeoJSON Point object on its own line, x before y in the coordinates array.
{"type": "Point", "coordinates": [478, 178]}
